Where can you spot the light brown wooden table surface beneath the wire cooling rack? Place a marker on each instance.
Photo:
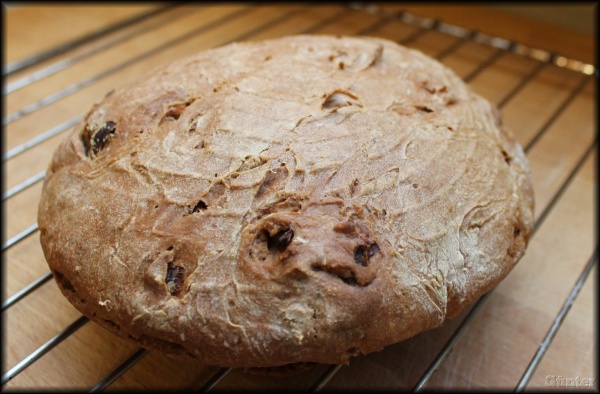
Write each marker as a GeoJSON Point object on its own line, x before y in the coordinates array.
{"type": "Point", "coordinates": [550, 108]}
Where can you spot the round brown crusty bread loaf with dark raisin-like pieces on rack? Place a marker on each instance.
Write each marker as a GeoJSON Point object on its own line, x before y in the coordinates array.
{"type": "Point", "coordinates": [298, 200]}
